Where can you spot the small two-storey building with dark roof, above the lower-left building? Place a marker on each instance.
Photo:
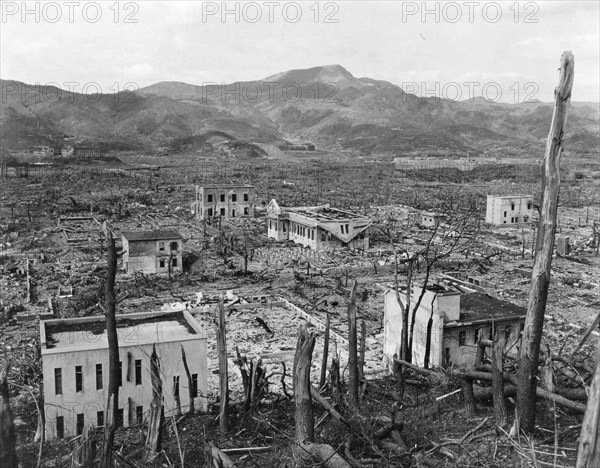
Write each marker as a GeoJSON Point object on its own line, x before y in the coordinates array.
{"type": "Point", "coordinates": [152, 252]}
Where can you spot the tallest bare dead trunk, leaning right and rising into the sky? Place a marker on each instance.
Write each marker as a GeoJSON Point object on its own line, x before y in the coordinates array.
{"type": "Point", "coordinates": [540, 277]}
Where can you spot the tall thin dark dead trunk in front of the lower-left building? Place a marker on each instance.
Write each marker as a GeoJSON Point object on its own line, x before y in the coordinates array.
{"type": "Point", "coordinates": [113, 357]}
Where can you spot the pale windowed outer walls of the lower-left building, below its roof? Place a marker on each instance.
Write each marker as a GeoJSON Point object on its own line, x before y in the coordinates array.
{"type": "Point", "coordinates": [90, 400]}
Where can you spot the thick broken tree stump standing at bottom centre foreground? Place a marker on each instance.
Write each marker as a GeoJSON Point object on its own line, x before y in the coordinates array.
{"type": "Point", "coordinates": [305, 431]}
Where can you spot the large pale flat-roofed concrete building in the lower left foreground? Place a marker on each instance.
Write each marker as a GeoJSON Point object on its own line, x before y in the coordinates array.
{"type": "Point", "coordinates": [75, 367]}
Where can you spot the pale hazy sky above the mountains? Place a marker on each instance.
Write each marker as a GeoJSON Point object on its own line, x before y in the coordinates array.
{"type": "Point", "coordinates": [427, 47]}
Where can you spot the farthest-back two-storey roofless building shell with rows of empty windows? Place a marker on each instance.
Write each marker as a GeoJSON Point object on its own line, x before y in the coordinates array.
{"type": "Point", "coordinates": [227, 201]}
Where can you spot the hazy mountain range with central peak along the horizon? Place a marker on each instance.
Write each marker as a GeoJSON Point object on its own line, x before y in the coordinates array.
{"type": "Point", "coordinates": [324, 105]}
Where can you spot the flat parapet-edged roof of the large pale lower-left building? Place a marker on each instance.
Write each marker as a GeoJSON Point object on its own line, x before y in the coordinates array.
{"type": "Point", "coordinates": [132, 329]}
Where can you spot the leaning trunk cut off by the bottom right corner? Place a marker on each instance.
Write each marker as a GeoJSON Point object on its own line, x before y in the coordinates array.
{"type": "Point", "coordinates": [589, 441]}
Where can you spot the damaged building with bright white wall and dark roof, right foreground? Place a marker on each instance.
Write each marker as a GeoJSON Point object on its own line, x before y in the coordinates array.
{"type": "Point", "coordinates": [458, 321]}
